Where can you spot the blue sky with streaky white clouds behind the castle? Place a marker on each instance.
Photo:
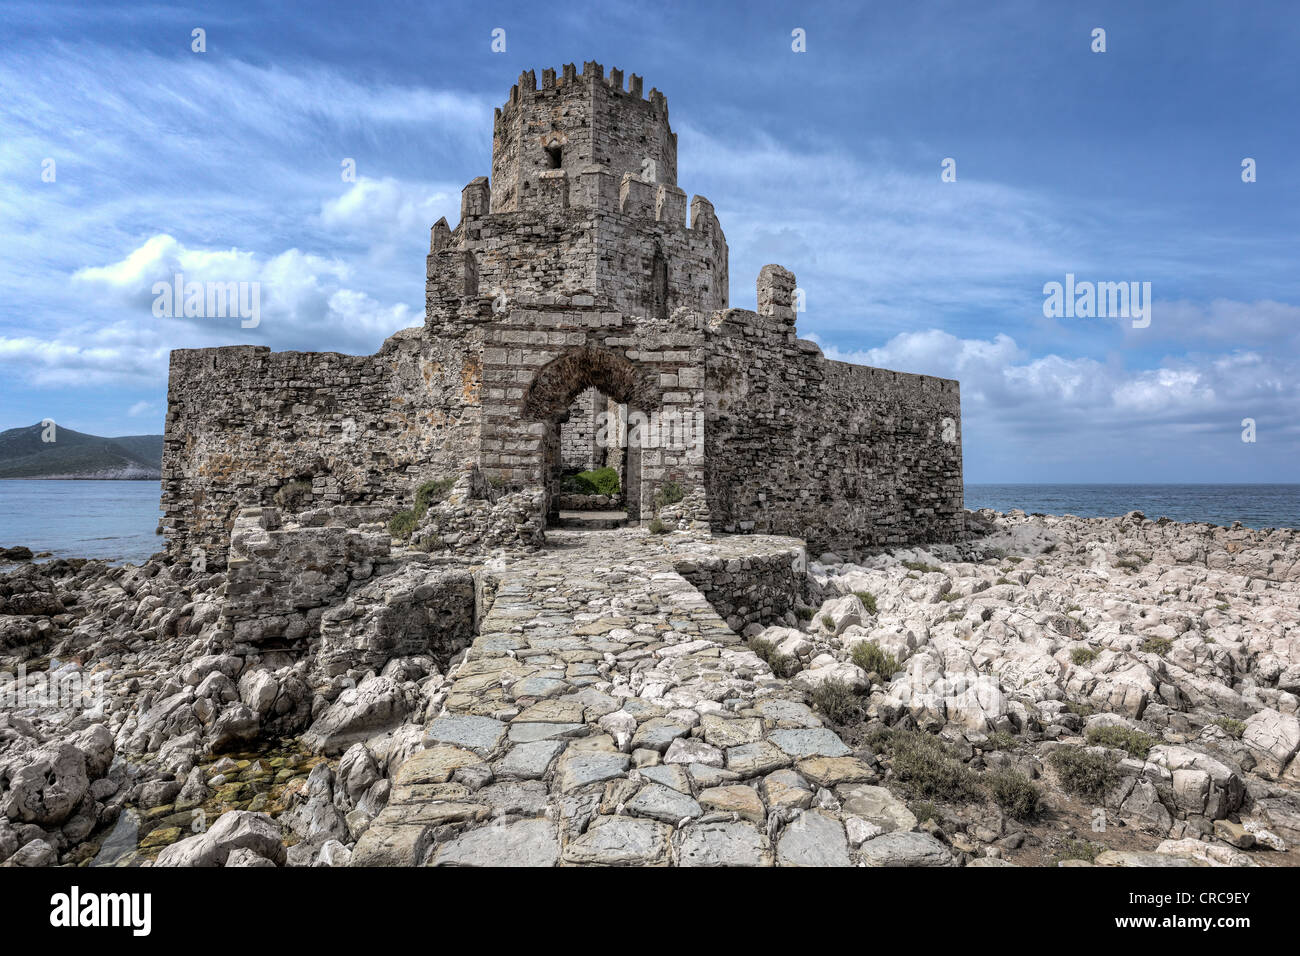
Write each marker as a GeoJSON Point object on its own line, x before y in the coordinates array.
{"type": "Point", "coordinates": [1115, 167]}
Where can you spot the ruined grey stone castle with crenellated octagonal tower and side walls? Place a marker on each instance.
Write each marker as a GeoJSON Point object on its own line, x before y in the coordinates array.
{"type": "Point", "coordinates": [578, 315]}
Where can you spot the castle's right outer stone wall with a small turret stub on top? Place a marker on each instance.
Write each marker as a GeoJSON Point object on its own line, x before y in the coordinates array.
{"type": "Point", "coordinates": [847, 457]}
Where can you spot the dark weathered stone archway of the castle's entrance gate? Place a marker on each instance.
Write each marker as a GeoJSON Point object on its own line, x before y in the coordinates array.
{"type": "Point", "coordinates": [562, 380]}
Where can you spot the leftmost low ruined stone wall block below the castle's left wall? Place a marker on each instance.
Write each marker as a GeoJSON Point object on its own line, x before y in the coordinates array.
{"type": "Point", "coordinates": [281, 579]}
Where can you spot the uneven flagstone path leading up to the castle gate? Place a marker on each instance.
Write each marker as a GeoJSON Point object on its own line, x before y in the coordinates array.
{"type": "Point", "coordinates": [608, 716]}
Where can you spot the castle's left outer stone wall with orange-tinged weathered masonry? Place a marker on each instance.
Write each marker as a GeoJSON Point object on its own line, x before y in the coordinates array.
{"type": "Point", "coordinates": [362, 430]}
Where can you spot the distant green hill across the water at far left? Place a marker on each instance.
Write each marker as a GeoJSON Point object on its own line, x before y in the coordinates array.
{"type": "Point", "coordinates": [77, 456]}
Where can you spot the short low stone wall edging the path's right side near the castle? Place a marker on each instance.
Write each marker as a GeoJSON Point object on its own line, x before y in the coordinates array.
{"type": "Point", "coordinates": [756, 590]}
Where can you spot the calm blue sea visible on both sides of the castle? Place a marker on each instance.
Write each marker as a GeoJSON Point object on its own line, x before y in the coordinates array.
{"type": "Point", "coordinates": [116, 520]}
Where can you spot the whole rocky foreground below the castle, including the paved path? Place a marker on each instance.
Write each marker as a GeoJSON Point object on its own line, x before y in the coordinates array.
{"type": "Point", "coordinates": [1051, 691]}
